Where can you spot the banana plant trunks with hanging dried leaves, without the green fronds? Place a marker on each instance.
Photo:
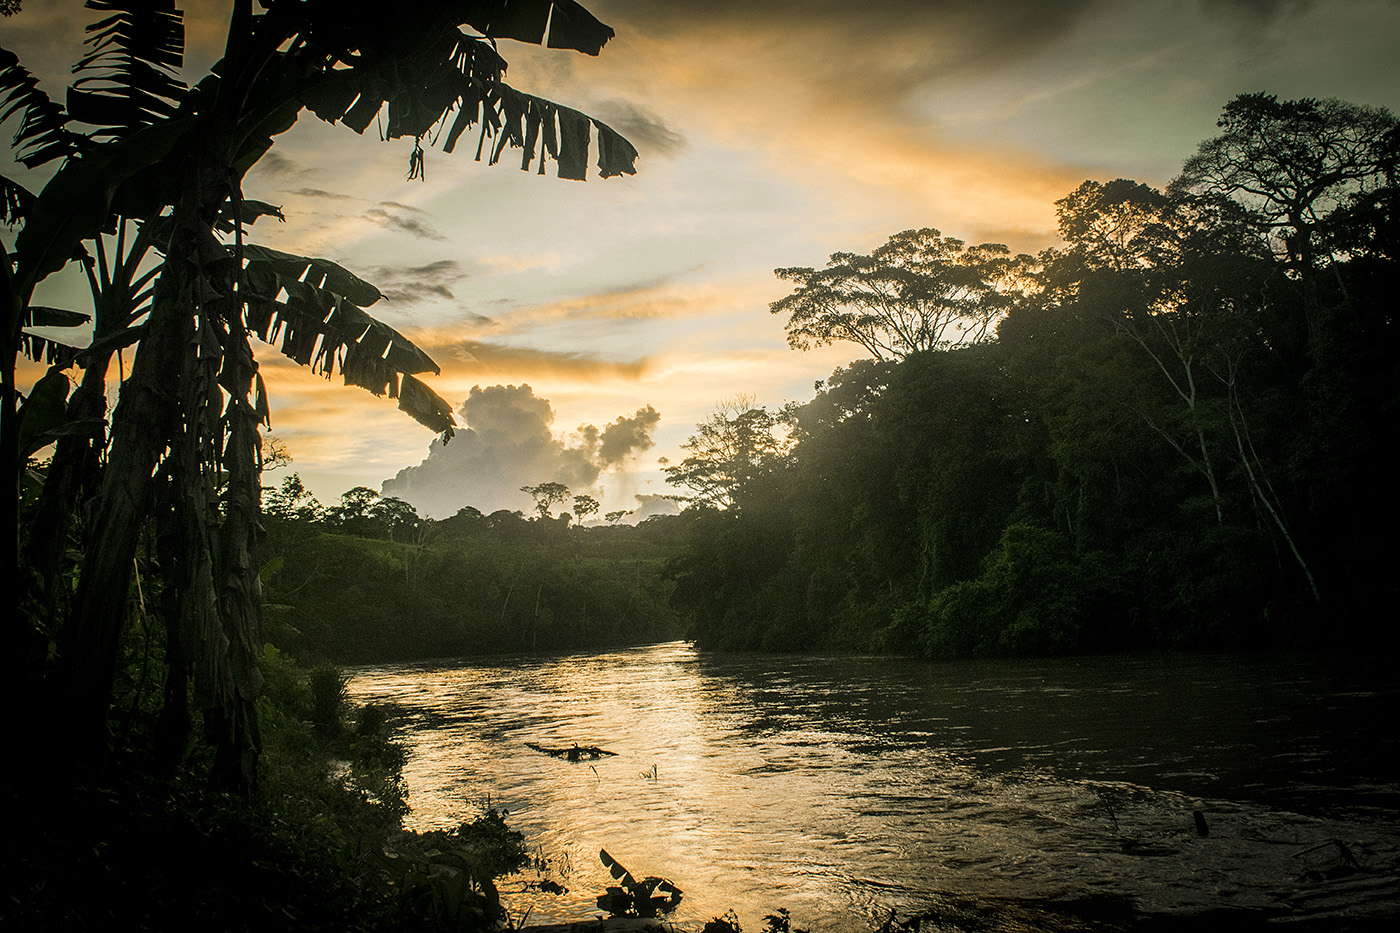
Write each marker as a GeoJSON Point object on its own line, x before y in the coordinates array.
{"type": "Point", "coordinates": [185, 415]}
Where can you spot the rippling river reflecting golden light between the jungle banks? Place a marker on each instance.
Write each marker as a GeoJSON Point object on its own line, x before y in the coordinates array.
{"type": "Point", "coordinates": [845, 788]}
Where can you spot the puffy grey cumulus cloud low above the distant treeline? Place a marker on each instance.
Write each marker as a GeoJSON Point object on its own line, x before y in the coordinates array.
{"type": "Point", "coordinates": [507, 443]}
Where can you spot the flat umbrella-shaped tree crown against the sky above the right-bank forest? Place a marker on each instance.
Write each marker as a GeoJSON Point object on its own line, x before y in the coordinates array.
{"type": "Point", "coordinates": [918, 292]}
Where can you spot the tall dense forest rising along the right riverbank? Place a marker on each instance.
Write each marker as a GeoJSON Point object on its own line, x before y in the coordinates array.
{"type": "Point", "coordinates": [1178, 432]}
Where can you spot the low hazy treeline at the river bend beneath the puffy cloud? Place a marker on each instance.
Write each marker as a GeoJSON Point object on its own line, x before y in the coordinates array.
{"type": "Point", "coordinates": [367, 581]}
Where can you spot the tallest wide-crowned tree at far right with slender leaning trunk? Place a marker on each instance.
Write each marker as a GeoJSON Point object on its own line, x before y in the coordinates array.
{"type": "Point", "coordinates": [1319, 177]}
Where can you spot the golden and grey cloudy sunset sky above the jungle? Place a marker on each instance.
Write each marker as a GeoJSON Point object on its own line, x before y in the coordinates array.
{"type": "Point", "coordinates": [771, 135]}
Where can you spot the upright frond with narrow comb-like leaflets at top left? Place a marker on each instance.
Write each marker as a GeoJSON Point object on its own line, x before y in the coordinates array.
{"type": "Point", "coordinates": [129, 74]}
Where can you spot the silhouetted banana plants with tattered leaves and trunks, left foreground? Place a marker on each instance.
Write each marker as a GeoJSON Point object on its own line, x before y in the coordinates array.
{"type": "Point", "coordinates": [167, 162]}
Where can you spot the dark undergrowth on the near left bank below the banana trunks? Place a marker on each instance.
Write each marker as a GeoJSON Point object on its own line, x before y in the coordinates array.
{"type": "Point", "coordinates": [318, 847]}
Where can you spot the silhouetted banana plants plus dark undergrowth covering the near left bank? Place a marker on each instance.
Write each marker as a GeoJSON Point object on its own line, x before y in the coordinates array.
{"type": "Point", "coordinates": [183, 773]}
